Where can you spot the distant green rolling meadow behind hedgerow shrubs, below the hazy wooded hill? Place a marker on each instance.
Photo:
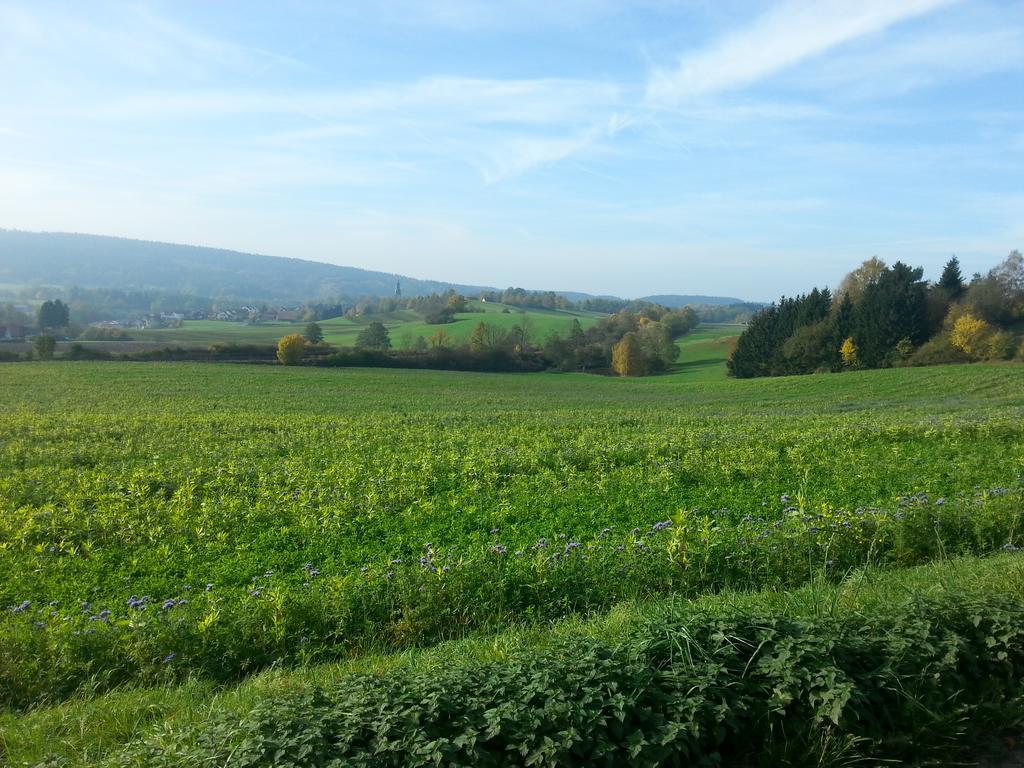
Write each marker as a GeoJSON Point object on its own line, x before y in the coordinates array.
{"type": "Point", "coordinates": [404, 325]}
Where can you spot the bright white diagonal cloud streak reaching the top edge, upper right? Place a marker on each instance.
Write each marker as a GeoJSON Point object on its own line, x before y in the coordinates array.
{"type": "Point", "coordinates": [791, 33]}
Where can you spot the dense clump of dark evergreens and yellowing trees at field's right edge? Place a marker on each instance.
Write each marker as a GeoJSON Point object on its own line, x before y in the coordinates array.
{"type": "Point", "coordinates": [885, 316]}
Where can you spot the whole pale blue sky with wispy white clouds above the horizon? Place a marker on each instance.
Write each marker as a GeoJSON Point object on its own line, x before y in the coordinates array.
{"type": "Point", "coordinates": [746, 149]}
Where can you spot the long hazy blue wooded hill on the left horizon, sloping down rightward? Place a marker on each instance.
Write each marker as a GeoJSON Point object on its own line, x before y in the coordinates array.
{"type": "Point", "coordinates": [96, 262]}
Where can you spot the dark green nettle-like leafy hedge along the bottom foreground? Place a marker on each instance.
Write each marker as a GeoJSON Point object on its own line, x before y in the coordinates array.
{"type": "Point", "coordinates": [689, 689]}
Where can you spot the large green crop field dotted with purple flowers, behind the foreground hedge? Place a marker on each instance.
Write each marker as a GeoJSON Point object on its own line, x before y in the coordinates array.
{"type": "Point", "coordinates": [159, 522]}
